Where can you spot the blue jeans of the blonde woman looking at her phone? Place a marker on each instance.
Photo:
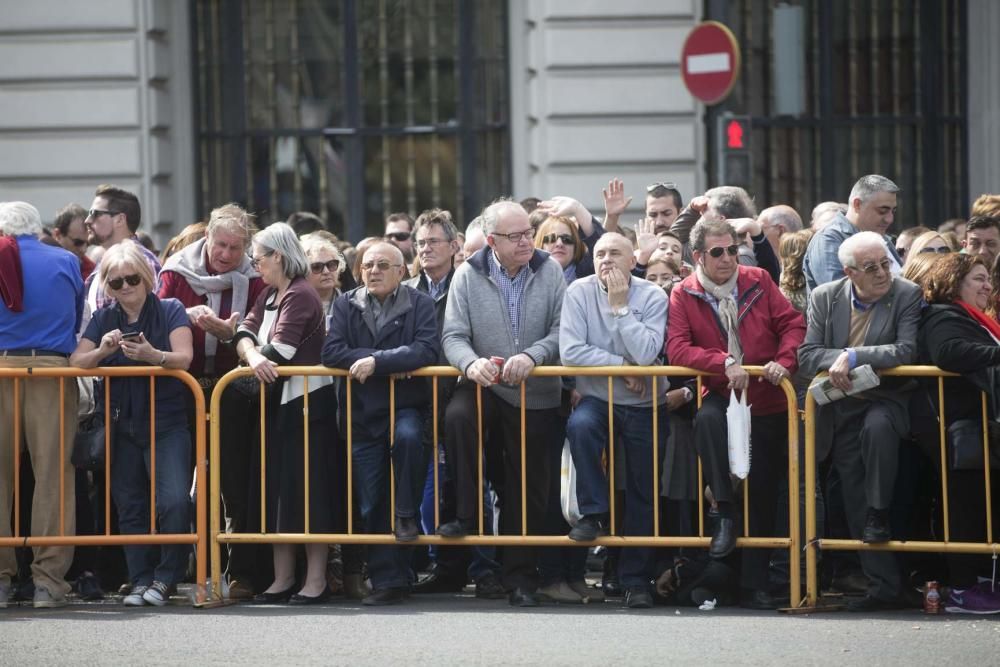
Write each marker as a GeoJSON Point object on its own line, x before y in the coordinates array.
{"type": "Point", "coordinates": [130, 488]}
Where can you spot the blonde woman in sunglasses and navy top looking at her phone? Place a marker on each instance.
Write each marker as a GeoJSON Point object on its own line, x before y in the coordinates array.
{"type": "Point", "coordinates": [140, 329]}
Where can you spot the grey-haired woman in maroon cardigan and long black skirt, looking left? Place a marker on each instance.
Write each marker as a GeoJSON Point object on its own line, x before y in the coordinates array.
{"type": "Point", "coordinates": [286, 327]}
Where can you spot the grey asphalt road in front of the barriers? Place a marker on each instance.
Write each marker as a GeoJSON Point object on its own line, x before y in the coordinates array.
{"type": "Point", "coordinates": [459, 629]}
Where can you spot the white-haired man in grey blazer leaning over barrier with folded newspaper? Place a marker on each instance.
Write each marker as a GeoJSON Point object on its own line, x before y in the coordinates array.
{"type": "Point", "coordinates": [867, 317]}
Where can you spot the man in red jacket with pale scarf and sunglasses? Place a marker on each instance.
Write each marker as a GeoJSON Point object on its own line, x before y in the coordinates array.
{"type": "Point", "coordinates": [722, 317]}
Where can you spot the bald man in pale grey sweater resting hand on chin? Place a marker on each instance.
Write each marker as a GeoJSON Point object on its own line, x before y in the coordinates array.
{"type": "Point", "coordinates": [615, 319]}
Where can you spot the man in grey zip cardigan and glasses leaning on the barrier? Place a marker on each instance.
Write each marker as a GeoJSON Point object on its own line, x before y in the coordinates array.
{"type": "Point", "coordinates": [504, 301]}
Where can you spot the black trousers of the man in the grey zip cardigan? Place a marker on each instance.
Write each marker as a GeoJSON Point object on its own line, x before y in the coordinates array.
{"type": "Point", "coordinates": [502, 437]}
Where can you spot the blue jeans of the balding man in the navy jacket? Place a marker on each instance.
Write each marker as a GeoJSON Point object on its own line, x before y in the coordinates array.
{"type": "Point", "coordinates": [388, 565]}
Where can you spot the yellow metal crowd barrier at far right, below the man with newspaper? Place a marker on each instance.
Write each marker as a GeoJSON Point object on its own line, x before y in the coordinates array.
{"type": "Point", "coordinates": [813, 543]}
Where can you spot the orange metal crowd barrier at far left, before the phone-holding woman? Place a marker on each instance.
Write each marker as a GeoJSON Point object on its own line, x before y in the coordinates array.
{"type": "Point", "coordinates": [198, 538]}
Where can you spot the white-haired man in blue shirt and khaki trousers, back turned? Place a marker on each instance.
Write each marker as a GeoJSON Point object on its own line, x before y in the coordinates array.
{"type": "Point", "coordinates": [42, 335]}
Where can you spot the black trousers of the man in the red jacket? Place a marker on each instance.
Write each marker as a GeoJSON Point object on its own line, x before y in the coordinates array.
{"type": "Point", "coordinates": [768, 463]}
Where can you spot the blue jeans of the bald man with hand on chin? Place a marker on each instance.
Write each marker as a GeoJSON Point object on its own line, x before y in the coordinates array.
{"type": "Point", "coordinates": [587, 430]}
